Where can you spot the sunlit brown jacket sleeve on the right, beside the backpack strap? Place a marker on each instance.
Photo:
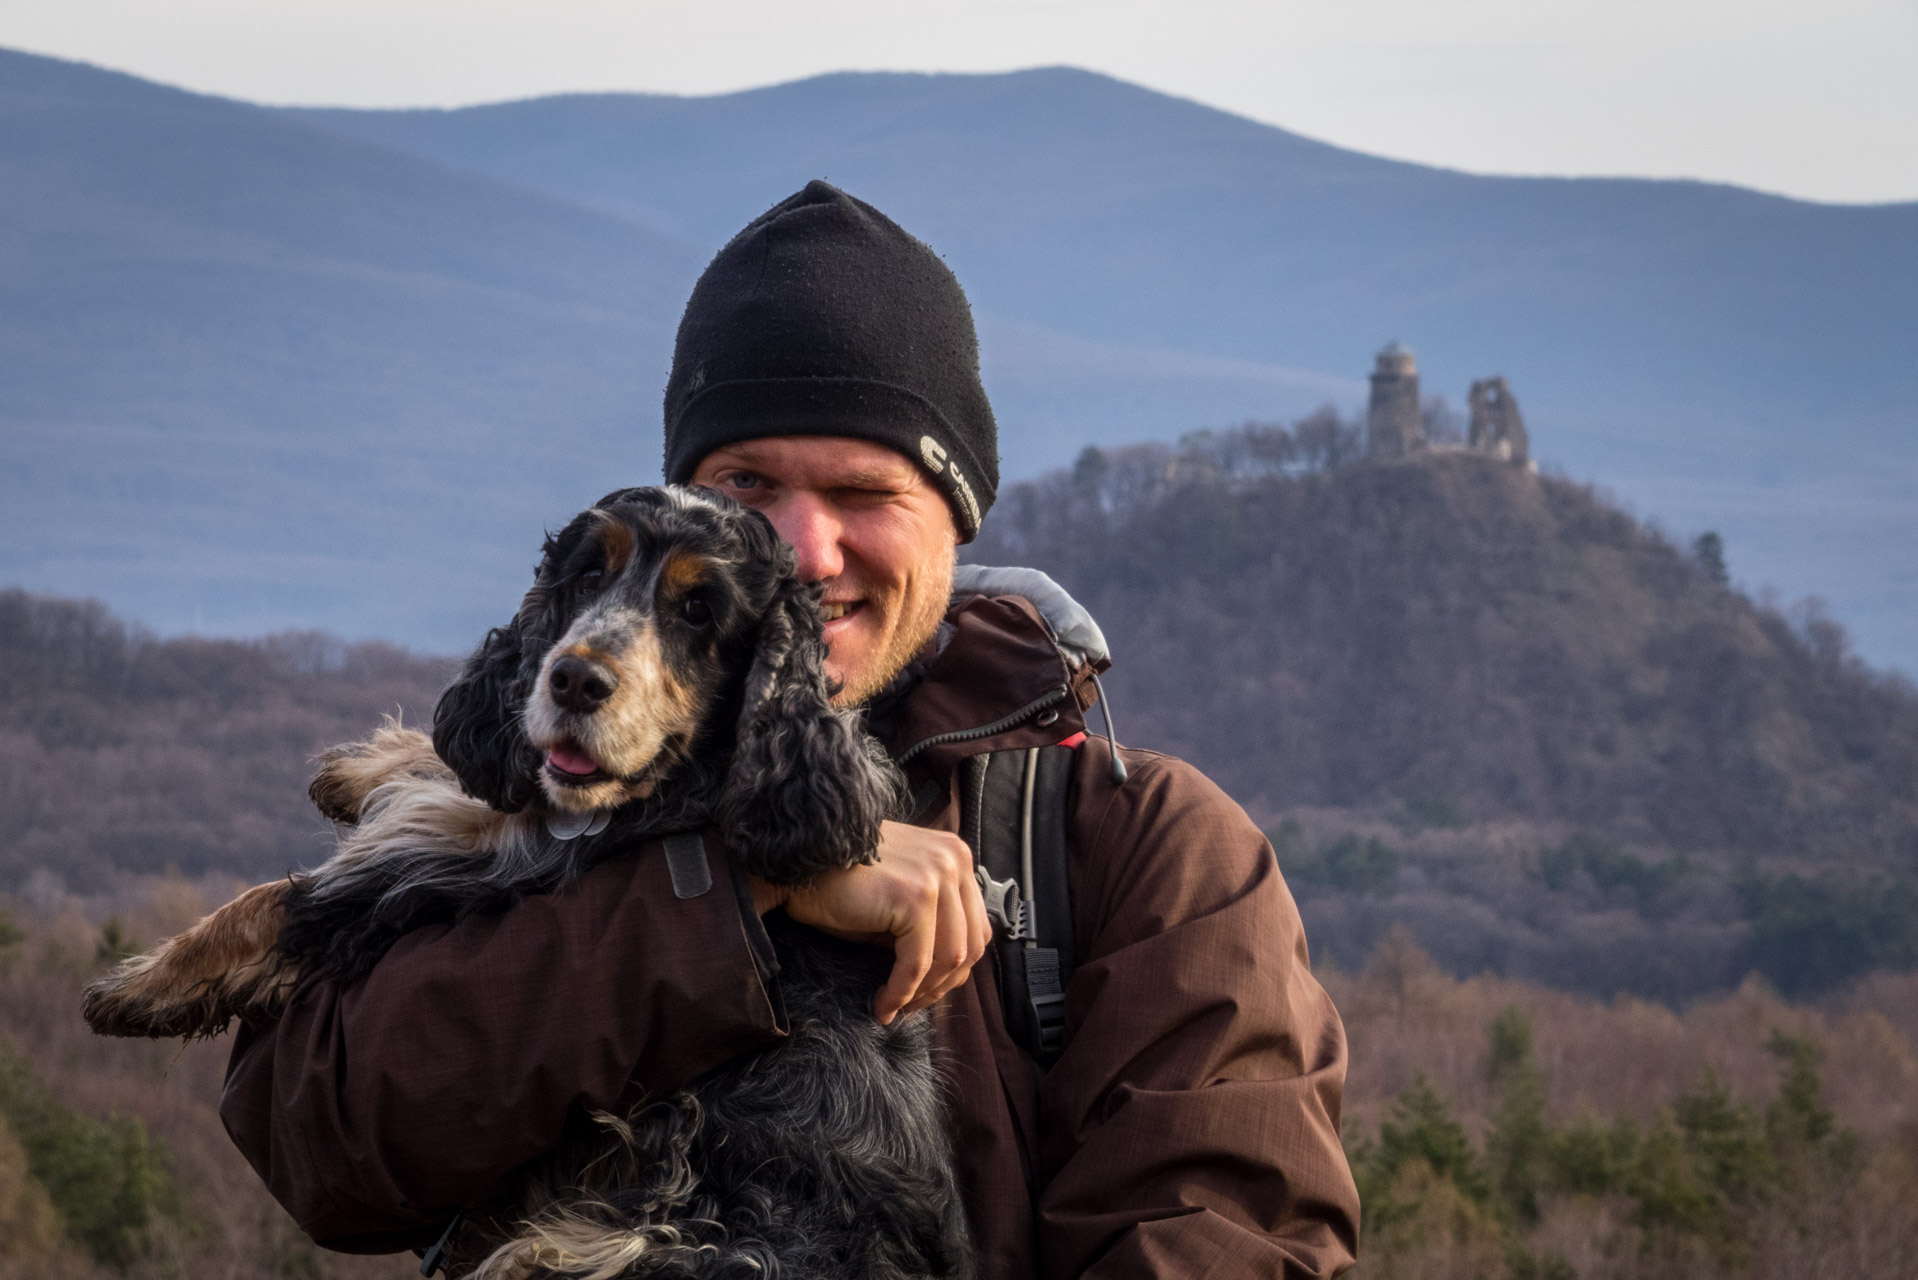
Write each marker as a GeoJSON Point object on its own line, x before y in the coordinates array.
{"type": "Point", "coordinates": [1192, 1126]}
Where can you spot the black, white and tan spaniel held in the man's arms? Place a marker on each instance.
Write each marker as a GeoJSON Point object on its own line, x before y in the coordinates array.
{"type": "Point", "coordinates": [665, 675]}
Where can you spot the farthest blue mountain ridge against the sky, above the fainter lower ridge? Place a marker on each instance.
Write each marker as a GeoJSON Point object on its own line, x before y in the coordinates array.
{"type": "Point", "coordinates": [1123, 216]}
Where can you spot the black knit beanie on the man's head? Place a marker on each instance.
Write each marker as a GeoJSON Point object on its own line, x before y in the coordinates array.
{"type": "Point", "coordinates": [824, 318]}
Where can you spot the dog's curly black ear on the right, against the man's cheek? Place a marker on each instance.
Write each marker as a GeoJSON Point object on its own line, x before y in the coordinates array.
{"type": "Point", "coordinates": [808, 786]}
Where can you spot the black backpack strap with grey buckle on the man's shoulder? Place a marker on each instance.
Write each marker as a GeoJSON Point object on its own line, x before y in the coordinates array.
{"type": "Point", "coordinates": [1014, 815]}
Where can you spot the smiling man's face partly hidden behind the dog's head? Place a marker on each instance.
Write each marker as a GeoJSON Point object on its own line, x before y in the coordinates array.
{"type": "Point", "coordinates": [864, 521]}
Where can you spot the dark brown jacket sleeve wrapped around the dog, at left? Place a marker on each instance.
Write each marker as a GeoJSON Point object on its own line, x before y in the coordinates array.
{"type": "Point", "coordinates": [375, 1112]}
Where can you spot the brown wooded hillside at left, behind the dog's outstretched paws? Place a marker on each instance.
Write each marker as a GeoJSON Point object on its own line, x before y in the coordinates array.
{"type": "Point", "coordinates": [122, 753]}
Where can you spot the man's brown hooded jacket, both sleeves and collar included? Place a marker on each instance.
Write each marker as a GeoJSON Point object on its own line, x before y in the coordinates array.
{"type": "Point", "coordinates": [1190, 1129]}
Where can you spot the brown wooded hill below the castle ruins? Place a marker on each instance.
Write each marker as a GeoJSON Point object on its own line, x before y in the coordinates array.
{"type": "Point", "coordinates": [1495, 707]}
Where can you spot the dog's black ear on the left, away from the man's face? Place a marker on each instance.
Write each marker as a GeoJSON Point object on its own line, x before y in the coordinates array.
{"type": "Point", "coordinates": [477, 726]}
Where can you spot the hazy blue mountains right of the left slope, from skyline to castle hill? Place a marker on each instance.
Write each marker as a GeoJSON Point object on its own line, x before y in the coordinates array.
{"type": "Point", "coordinates": [1146, 266]}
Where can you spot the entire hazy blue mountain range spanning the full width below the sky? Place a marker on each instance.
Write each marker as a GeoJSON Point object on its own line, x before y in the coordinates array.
{"type": "Point", "coordinates": [340, 367]}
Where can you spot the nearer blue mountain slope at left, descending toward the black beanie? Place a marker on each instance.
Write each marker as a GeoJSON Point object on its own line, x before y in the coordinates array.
{"type": "Point", "coordinates": [264, 375]}
